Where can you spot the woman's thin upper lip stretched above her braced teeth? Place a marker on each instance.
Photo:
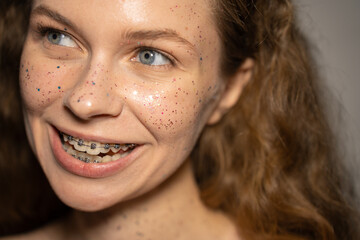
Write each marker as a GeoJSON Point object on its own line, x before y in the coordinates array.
{"type": "Point", "coordinates": [92, 138]}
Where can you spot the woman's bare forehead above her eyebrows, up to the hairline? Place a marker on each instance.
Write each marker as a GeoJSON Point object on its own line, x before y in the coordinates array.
{"type": "Point", "coordinates": [192, 19]}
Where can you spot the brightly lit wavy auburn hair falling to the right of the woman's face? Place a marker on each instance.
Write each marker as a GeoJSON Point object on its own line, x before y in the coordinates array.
{"type": "Point", "coordinates": [270, 163]}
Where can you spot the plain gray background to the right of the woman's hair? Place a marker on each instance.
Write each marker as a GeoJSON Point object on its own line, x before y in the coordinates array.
{"type": "Point", "coordinates": [333, 27]}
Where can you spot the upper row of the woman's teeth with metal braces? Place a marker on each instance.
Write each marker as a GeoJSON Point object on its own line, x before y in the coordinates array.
{"type": "Point", "coordinates": [94, 148]}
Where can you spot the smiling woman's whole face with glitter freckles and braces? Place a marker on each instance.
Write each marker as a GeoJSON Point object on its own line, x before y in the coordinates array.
{"type": "Point", "coordinates": [128, 84]}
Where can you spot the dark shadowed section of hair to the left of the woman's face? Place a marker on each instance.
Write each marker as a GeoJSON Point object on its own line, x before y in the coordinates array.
{"type": "Point", "coordinates": [27, 200]}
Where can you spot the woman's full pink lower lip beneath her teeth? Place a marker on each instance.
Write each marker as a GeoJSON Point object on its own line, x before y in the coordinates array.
{"type": "Point", "coordinates": [90, 170]}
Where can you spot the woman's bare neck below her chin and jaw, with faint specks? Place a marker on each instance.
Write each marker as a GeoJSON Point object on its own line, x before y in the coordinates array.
{"type": "Point", "coordinates": [174, 210]}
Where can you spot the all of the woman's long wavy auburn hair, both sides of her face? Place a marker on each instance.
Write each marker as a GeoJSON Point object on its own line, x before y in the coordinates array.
{"type": "Point", "coordinates": [269, 164]}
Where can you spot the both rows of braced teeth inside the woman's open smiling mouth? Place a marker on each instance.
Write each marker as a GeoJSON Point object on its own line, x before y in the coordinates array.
{"type": "Point", "coordinates": [94, 152]}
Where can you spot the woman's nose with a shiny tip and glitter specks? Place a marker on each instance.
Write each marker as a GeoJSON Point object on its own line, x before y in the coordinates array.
{"type": "Point", "coordinates": [91, 97]}
